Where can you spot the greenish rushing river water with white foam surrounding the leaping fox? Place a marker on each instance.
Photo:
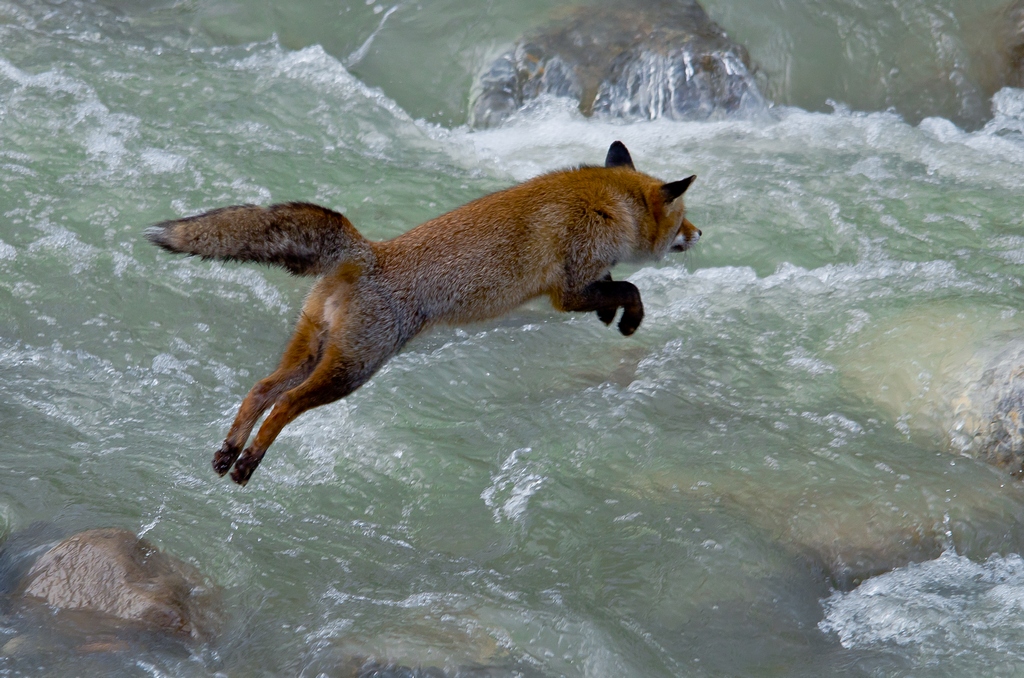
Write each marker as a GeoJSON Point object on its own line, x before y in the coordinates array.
{"type": "Point", "coordinates": [535, 496]}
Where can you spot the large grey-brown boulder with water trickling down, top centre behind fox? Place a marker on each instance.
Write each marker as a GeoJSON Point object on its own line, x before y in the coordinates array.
{"type": "Point", "coordinates": [638, 60]}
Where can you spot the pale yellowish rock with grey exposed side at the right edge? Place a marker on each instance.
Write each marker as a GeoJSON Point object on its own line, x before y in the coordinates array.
{"type": "Point", "coordinates": [948, 376]}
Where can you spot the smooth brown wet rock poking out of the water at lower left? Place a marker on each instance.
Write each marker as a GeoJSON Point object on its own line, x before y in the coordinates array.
{"type": "Point", "coordinates": [114, 574]}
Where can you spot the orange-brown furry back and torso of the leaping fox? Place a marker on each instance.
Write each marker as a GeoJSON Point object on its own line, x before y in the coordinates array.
{"type": "Point", "coordinates": [493, 255]}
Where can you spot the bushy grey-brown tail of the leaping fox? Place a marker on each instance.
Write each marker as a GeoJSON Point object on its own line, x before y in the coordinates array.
{"type": "Point", "coordinates": [306, 239]}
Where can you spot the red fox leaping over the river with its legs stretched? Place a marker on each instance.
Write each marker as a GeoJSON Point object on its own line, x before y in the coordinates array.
{"type": "Point", "coordinates": [558, 235]}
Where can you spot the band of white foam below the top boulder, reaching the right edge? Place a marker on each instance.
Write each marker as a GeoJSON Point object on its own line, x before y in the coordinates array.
{"type": "Point", "coordinates": [551, 134]}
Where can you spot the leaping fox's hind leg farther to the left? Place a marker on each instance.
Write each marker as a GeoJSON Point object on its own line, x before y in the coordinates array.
{"type": "Point", "coordinates": [298, 362]}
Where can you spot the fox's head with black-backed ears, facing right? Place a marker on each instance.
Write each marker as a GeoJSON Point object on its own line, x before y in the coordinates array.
{"type": "Point", "coordinates": [665, 228]}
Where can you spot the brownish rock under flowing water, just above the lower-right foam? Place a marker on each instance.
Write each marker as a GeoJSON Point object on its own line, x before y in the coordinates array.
{"type": "Point", "coordinates": [847, 533]}
